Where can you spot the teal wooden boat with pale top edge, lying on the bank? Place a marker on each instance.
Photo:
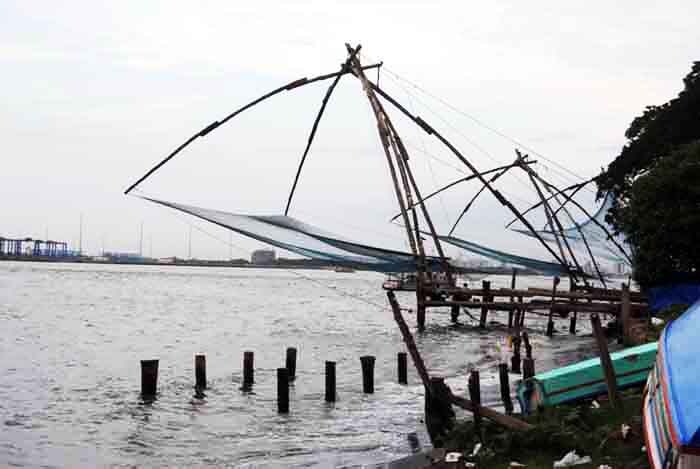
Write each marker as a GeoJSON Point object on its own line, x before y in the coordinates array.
{"type": "Point", "coordinates": [585, 379]}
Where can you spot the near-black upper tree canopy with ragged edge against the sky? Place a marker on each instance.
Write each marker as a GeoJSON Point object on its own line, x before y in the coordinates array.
{"type": "Point", "coordinates": [653, 136]}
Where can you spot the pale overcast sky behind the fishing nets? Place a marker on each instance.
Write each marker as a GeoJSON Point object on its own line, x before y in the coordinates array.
{"type": "Point", "coordinates": [95, 93]}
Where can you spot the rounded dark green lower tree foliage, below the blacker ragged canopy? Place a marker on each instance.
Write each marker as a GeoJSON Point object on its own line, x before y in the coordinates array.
{"type": "Point", "coordinates": [661, 218]}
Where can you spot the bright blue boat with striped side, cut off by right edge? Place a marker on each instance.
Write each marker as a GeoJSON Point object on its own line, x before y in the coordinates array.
{"type": "Point", "coordinates": [672, 396]}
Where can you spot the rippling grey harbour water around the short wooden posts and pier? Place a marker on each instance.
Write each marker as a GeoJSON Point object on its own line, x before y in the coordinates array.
{"type": "Point", "coordinates": [73, 336]}
